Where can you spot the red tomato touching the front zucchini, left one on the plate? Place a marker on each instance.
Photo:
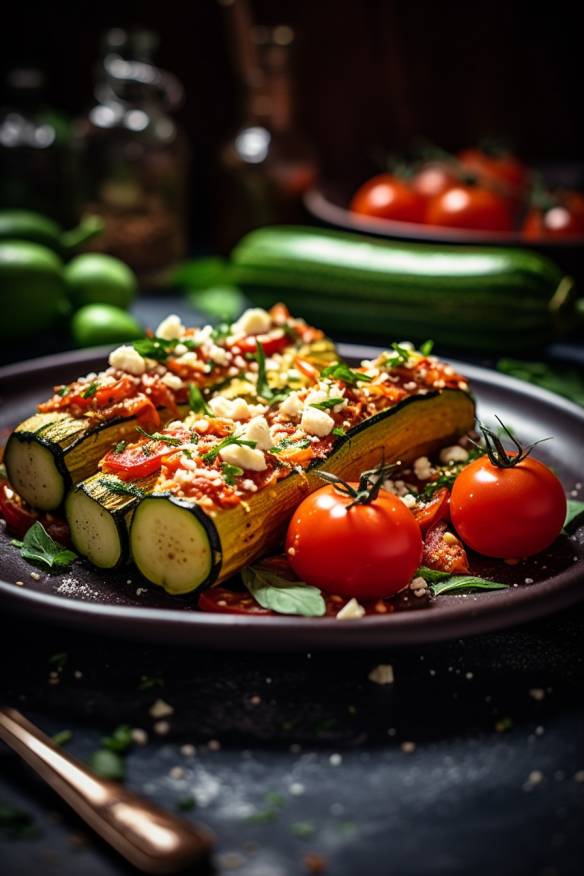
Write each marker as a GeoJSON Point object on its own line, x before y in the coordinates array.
{"type": "Point", "coordinates": [366, 551]}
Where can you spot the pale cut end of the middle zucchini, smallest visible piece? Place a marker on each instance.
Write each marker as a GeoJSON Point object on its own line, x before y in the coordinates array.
{"type": "Point", "coordinates": [95, 533]}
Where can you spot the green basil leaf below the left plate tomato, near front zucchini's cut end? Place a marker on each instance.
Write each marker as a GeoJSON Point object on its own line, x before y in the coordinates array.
{"type": "Point", "coordinates": [282, 596]}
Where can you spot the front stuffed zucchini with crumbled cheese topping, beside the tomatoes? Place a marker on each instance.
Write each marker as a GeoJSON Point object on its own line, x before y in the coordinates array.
{"type": "Point", "coordinates": [217, 509]}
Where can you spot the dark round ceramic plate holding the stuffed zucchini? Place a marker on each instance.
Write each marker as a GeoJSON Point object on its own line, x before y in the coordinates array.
{"type": "Point", "coordinates": [123, 604]}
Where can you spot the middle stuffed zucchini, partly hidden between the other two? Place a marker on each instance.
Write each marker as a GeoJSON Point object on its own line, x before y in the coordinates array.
{"type": "Point", "coordinates": [100, 507]}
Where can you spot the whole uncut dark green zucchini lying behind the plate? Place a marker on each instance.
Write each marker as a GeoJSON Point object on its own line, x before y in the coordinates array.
{"type": "Point", "coordinates": [480, 298]}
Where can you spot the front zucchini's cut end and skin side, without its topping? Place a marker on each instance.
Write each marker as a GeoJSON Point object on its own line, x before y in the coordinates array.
{"type": "Point", "coordinates": [181, 547]}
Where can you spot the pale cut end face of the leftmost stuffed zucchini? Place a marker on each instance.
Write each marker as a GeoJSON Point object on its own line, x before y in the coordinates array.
{"type": "Point", "coordinates": [34, 473]}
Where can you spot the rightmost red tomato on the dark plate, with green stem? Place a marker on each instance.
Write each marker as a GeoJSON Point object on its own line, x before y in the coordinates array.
{"type": "Point", "coordinates": [508, 512]}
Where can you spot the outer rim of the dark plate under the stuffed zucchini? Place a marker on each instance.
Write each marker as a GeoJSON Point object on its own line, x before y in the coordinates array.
{"type": "Point", "coordinates": [560, 591]}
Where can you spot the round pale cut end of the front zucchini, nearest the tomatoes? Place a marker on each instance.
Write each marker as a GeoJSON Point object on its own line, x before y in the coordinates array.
{"type": "Point", "coordinates": [171, 545]}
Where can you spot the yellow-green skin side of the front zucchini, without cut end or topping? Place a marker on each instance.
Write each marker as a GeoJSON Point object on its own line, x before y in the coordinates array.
{"type": "Point", "coordinates": [413, 427]}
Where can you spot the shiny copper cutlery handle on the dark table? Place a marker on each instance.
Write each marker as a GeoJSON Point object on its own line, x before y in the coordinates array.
{"type": "Point", "coordinates": [151, 839]}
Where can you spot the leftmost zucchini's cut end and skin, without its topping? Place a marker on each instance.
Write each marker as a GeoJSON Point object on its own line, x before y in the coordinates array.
{"type": "Point", "coordinates": [49, 452]}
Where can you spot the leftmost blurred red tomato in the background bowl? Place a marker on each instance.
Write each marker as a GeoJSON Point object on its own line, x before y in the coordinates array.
{"type": "Point", "coordinates": [387, 197]}
